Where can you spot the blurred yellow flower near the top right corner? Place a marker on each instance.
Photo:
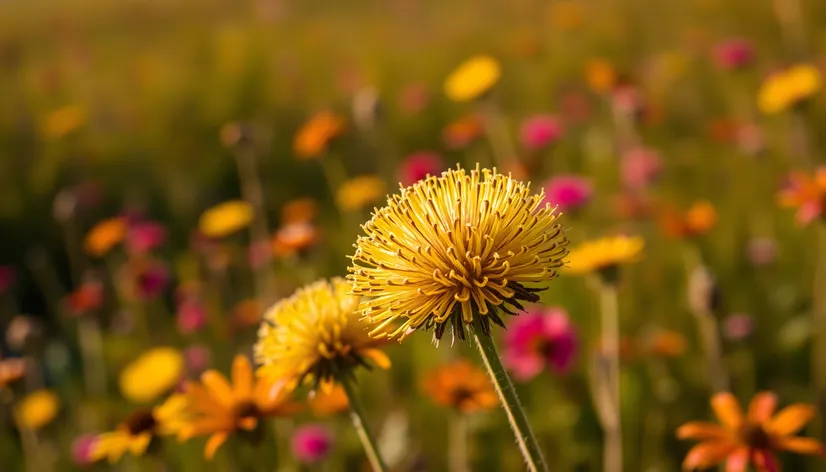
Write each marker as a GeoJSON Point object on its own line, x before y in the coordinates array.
{"type": "Point", "coordinates": [787, 88]}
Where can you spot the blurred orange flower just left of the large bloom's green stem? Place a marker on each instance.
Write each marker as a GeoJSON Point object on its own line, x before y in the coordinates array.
{"type": "Point", "coordinates": [462, 386]}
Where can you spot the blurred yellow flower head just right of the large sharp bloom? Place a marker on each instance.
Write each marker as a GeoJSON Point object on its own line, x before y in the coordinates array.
{"type": "Point", "coordinates": [605, 254]}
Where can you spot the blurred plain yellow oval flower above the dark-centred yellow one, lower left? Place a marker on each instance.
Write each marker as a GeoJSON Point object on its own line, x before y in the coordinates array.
{"type": "Point", "coordinates": [152, 374]}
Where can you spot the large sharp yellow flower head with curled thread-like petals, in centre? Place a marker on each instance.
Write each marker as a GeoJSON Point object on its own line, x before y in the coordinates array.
{"type": "Point", "coordinates": [454, 250]}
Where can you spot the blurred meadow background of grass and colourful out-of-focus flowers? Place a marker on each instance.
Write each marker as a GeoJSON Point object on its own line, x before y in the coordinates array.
{"type": "Point", "coordinates": [168, 170]}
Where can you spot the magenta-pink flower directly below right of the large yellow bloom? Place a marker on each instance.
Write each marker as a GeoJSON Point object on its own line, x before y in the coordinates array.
{"type": "Point", "coordinates": [538, 340]}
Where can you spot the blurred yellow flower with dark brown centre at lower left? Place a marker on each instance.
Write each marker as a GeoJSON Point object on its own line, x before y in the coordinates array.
{"type": "Point", "coordinates": [136, 434]}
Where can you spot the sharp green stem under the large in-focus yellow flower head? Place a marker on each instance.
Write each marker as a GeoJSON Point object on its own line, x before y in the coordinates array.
{"type": "Point", "coordinates": [513, 408]}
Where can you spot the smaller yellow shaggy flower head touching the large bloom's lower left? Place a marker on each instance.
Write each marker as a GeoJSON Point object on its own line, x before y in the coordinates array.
{"type": "Point", "coordinates": [316, 335]}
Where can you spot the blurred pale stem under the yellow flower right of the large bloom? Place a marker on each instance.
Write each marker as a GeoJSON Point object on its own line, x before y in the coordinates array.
{"type": "Point", "coordinates": [609, 378]}
